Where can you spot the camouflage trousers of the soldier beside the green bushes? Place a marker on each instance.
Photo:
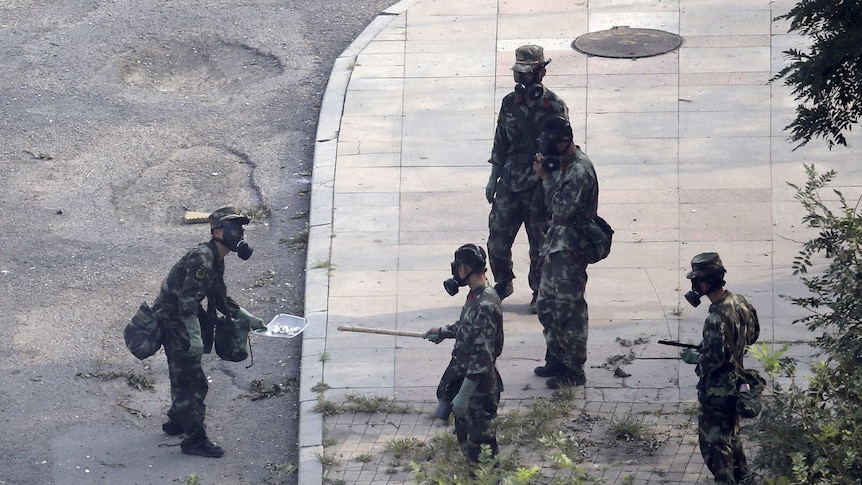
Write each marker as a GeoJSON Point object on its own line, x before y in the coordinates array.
{"type": "Point", "coordinates": [718, 437]}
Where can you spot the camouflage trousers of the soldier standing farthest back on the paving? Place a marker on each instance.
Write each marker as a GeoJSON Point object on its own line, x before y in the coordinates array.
{"type": "Point", "coordinates": [509, 211]}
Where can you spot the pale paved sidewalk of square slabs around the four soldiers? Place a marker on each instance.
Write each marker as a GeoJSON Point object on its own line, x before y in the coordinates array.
{"type": "Point", "coordinates": [690, 155]}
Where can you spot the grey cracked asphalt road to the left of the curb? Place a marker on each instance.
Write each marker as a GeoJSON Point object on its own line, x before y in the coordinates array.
{"type": "Point", "coordinates": [115, 116]}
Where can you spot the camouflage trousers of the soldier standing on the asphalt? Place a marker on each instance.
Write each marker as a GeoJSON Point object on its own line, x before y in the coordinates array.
{"type": "Point", "coordinates": [189, 385]}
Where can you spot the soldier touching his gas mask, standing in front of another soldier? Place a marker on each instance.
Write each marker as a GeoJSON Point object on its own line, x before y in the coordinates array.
{"type": "Point", "coordinates": [572, 194]}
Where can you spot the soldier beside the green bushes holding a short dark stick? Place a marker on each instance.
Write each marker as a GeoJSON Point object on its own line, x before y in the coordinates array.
{"type": "Point", "coordinates": [729, 328]}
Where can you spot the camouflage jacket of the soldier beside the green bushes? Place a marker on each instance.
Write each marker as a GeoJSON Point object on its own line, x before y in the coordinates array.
{"type": "Point", "coordinates": [729, 328]}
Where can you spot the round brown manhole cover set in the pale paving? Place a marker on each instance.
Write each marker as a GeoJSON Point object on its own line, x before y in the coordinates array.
{"type": "Point", "coordinates": [623, 42]}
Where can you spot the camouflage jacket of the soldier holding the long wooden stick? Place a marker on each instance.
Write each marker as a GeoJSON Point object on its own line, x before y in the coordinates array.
{"type": "Point", "coordinates": [478, 338]}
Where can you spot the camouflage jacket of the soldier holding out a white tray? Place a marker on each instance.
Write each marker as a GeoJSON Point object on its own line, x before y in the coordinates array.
{"type": "Point", "coordinates": [198, 275]}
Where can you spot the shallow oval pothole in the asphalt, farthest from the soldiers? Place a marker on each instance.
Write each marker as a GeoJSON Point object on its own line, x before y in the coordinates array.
{"type": "Point", "coordinates": [198, 65]}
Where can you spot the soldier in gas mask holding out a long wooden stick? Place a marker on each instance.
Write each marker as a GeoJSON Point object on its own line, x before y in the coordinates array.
{"type": "Point", "coordinates": [471, 382]}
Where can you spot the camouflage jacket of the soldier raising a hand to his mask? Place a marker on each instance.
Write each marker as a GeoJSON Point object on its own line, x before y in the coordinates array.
{"type": "Point", "coordinates": [572, 196]}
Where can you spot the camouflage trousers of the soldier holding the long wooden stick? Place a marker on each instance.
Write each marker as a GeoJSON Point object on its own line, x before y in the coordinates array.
{"type": "Point", "coordinates": [478, 428]}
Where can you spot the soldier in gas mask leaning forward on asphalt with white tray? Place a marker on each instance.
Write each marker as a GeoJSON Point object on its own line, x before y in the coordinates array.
{"type": "Point", "coordinates": [198, 275]}
